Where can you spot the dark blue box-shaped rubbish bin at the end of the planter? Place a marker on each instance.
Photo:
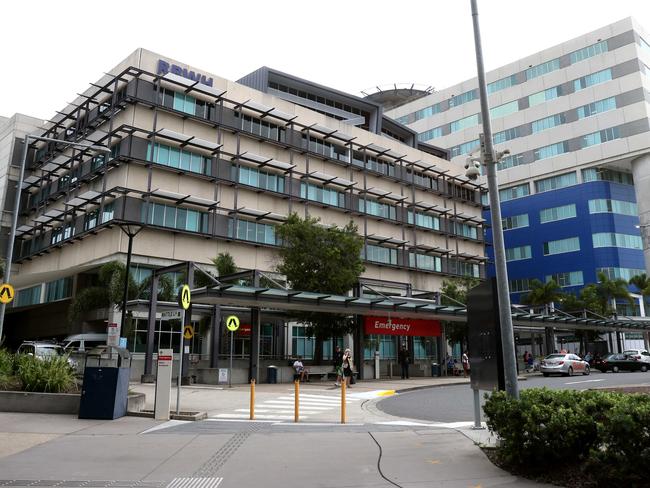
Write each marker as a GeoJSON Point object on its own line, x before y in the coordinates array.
{"type": "Point", "coordinates": [105, 390]}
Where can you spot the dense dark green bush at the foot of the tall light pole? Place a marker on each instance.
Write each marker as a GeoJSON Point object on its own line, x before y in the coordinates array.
{"type": "Point", "coordinates": [608, 432]}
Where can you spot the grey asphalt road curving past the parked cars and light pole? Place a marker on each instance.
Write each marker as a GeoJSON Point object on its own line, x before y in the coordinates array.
{"type": "Point", "coordinates": [455, 403]}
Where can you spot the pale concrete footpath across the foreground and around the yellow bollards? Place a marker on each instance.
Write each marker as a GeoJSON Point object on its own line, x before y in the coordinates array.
{"type": "Point", "coordinates": [372, 449]}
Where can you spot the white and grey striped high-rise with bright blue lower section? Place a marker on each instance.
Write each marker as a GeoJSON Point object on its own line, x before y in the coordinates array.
{"type": "Point", "coordinates": [577, 179]}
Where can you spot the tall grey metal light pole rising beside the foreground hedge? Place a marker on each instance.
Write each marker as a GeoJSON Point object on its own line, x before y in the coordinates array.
{"type": "Point", "coordinates": [487, 149]}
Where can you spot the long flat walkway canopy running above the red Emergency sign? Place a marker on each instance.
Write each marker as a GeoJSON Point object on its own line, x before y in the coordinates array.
{"type": "Point", "coordinates": [385, 306]}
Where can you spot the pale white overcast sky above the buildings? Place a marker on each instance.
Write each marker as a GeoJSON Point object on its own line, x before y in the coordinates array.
{"type": "Point", "coordinates": [50, 50]}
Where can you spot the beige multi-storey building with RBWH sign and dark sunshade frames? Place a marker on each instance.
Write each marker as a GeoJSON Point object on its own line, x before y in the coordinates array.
{"type": "Point", "coordinates": [207, 166]}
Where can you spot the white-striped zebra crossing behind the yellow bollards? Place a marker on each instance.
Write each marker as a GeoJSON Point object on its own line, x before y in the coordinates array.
{"type": "Point", "coordinates": [281, 407]}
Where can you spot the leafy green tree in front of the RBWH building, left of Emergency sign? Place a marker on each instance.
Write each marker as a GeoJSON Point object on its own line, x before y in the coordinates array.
{"type": "Point", "coordinates": [322, 260]}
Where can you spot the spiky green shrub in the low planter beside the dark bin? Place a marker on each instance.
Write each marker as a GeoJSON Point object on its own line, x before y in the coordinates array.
{"type": "Point", "coordinates": [53, 375]}
